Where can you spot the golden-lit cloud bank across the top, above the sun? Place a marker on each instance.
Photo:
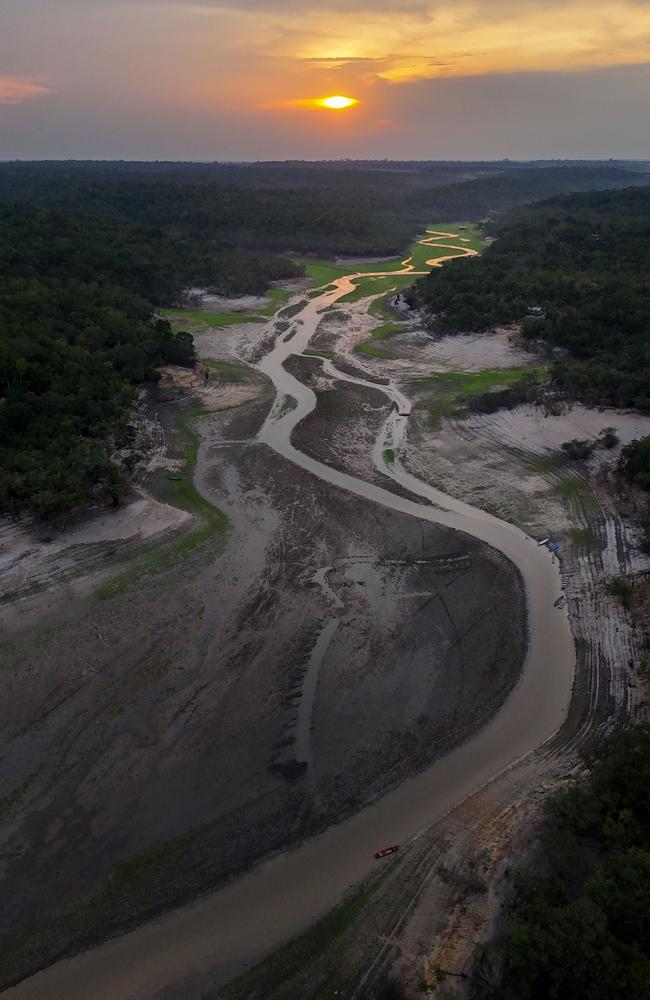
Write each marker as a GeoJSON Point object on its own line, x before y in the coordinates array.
{"type": "Point", "coordinates": [448, 37]}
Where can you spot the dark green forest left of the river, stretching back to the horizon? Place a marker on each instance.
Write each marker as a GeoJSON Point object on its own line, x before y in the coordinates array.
{"type": "Point", "coordinates": [89, 251]}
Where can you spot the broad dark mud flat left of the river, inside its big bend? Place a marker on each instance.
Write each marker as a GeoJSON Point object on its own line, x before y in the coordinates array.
{"type": "Point", "coordinates": [174, 707]}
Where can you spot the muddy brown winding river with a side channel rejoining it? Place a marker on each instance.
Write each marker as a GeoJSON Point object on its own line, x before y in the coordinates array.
{"type": "Point", "coordinates": [232, 927]}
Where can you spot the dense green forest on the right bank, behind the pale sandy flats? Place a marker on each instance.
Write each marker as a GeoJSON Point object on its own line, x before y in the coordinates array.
{"type": "Point", "coordinates": [583, 263]}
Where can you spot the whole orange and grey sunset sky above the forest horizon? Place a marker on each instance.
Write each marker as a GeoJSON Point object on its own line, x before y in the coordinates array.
{"type": "Point", "coordinates": [179, 79]}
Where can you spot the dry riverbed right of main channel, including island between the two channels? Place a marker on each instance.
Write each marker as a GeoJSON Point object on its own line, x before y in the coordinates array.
{"type": "Point", "coordinates": [444, 896]}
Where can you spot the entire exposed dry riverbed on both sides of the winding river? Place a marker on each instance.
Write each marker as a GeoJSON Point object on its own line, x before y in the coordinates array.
{"type": "Point", "coordinates": [169, 728]}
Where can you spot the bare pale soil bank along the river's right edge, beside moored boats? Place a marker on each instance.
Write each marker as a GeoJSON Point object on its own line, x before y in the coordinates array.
{"type": "Point", "coordinates": [445, 896]}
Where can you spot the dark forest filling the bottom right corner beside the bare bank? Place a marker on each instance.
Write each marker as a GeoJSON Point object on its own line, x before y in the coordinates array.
{"type": "Point", "coordinates": [580, 926]}
